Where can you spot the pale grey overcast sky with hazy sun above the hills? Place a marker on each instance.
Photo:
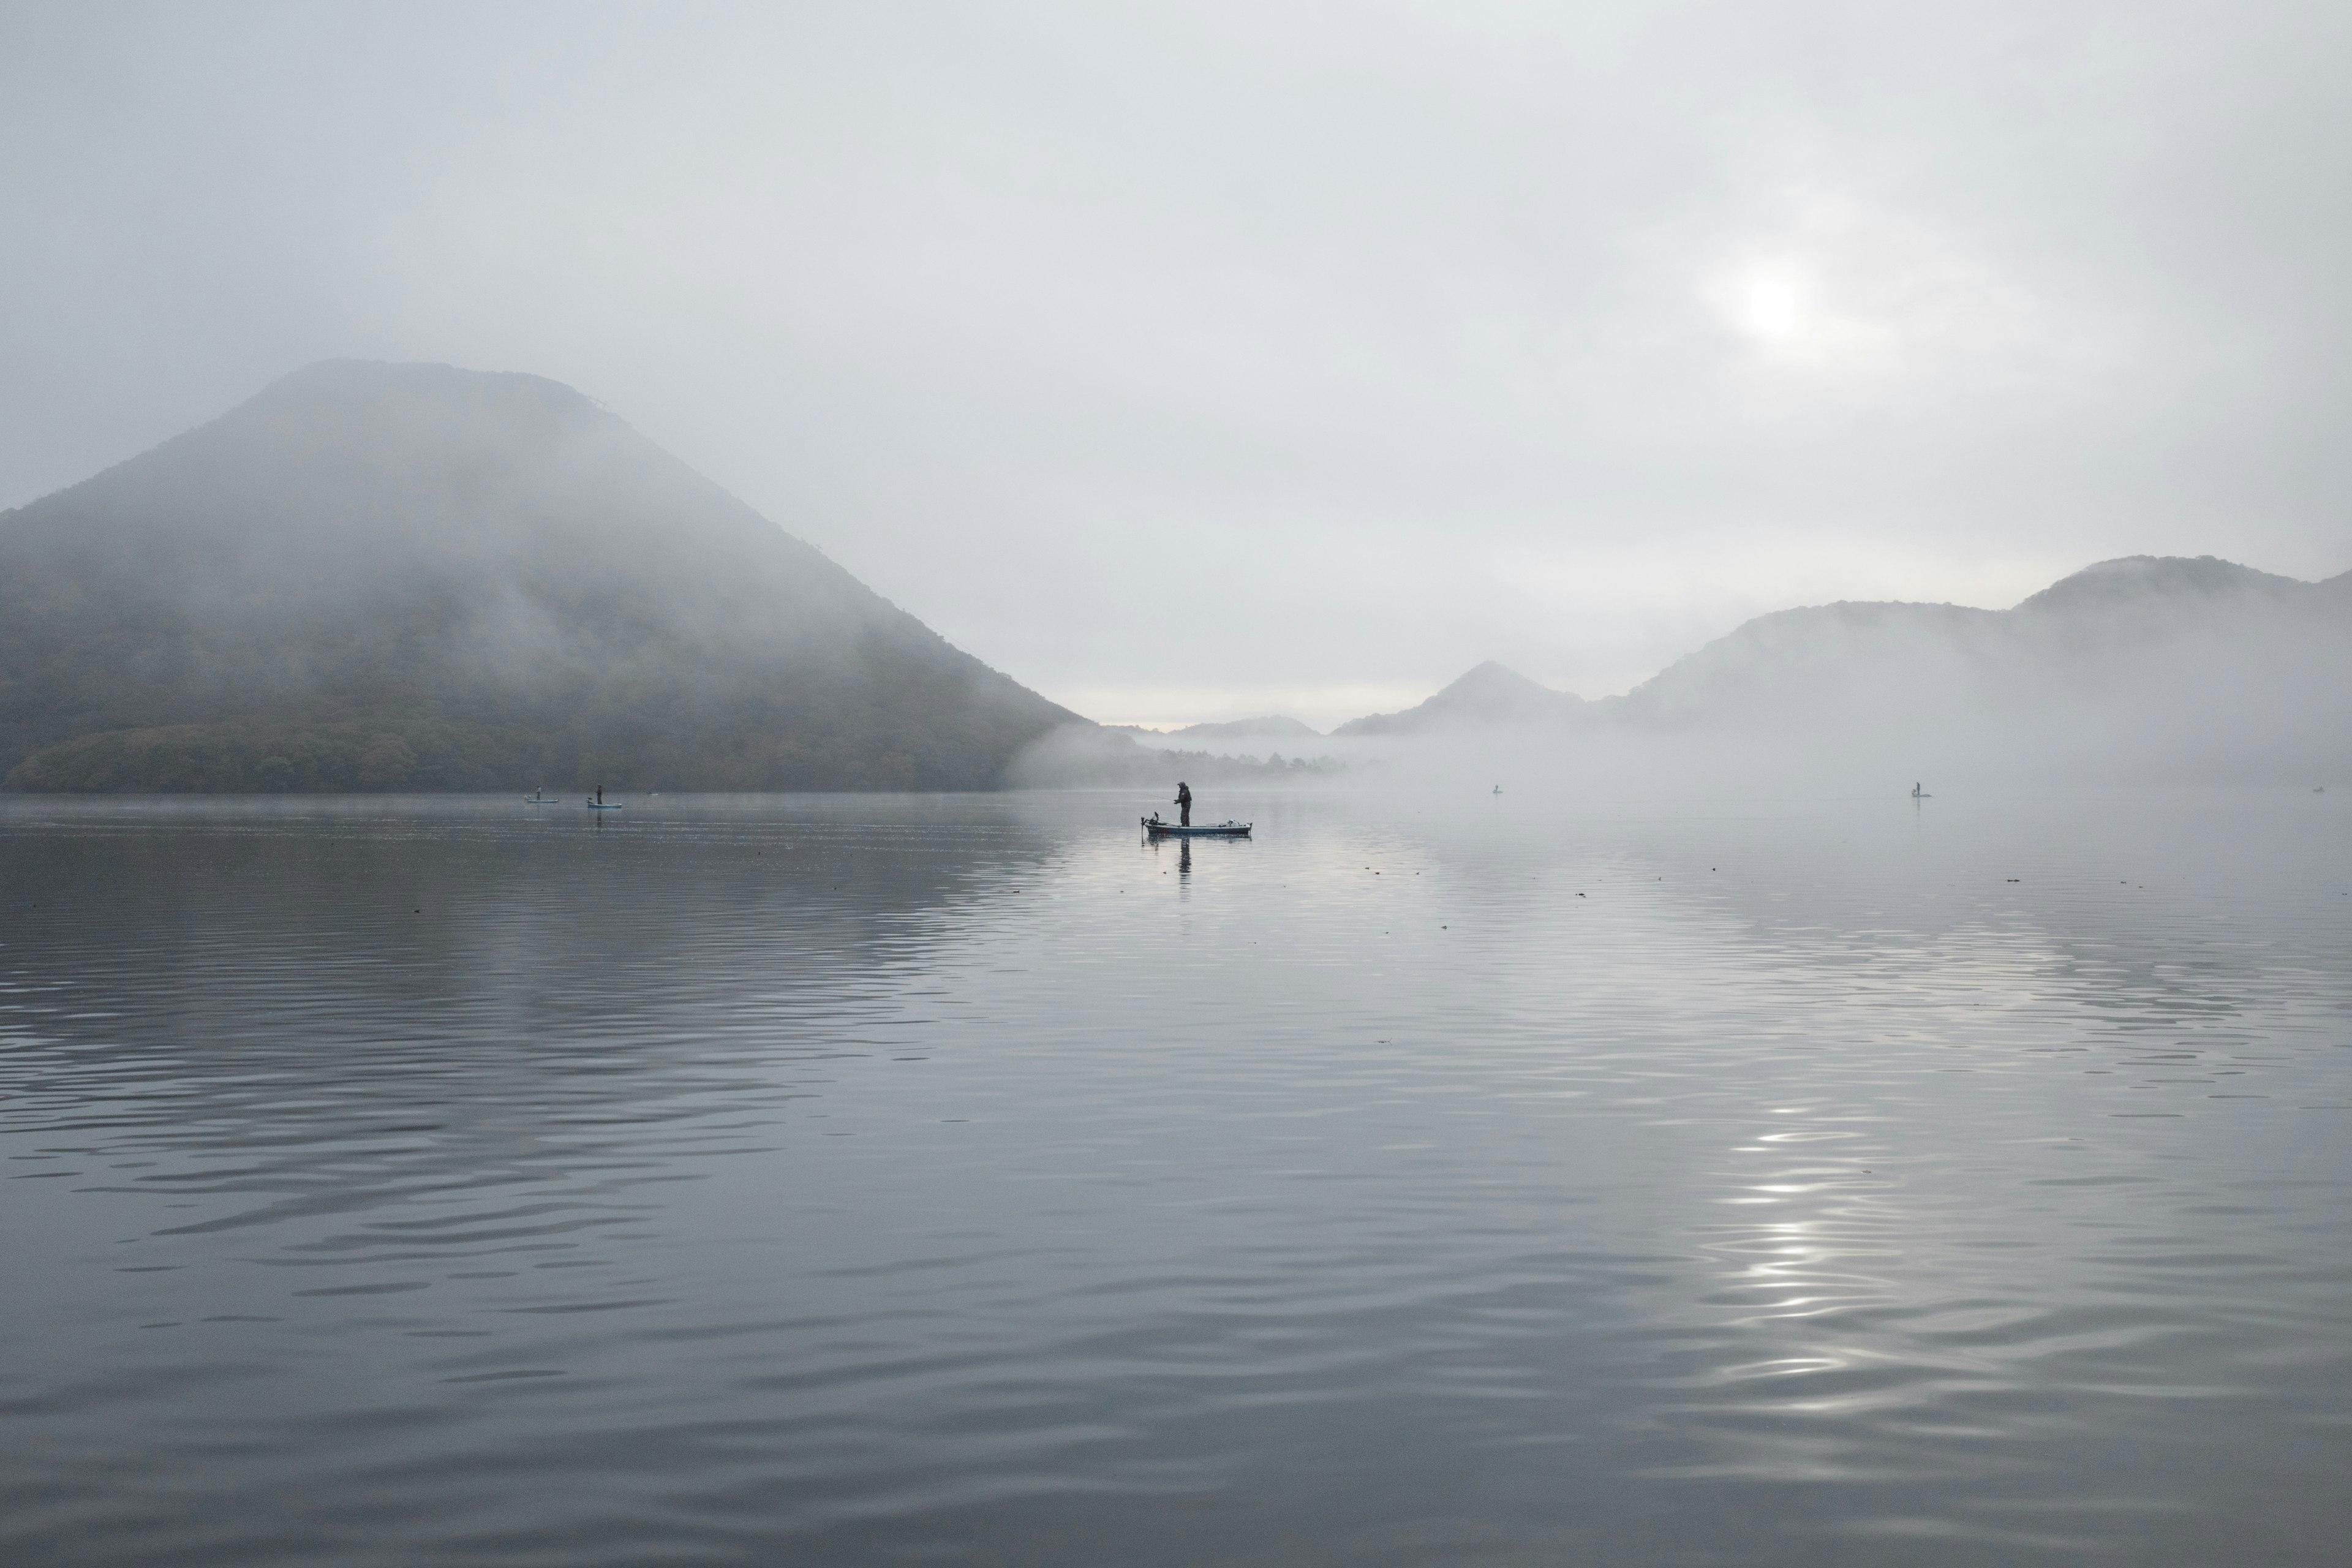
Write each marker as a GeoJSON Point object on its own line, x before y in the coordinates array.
{"type": "Point", "coordinates": [1203, 361]}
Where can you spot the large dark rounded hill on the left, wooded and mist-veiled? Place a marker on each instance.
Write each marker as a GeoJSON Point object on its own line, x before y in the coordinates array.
{"type": "Point", "coordinates": [410, 577]}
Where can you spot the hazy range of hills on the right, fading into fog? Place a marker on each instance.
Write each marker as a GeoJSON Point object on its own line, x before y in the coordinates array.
{"type": "Point", "coordinates": [2144, 659]}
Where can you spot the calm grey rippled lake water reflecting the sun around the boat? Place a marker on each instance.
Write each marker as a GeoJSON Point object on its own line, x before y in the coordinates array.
{"type": "Point", "coordinates": [963, 1181]}
